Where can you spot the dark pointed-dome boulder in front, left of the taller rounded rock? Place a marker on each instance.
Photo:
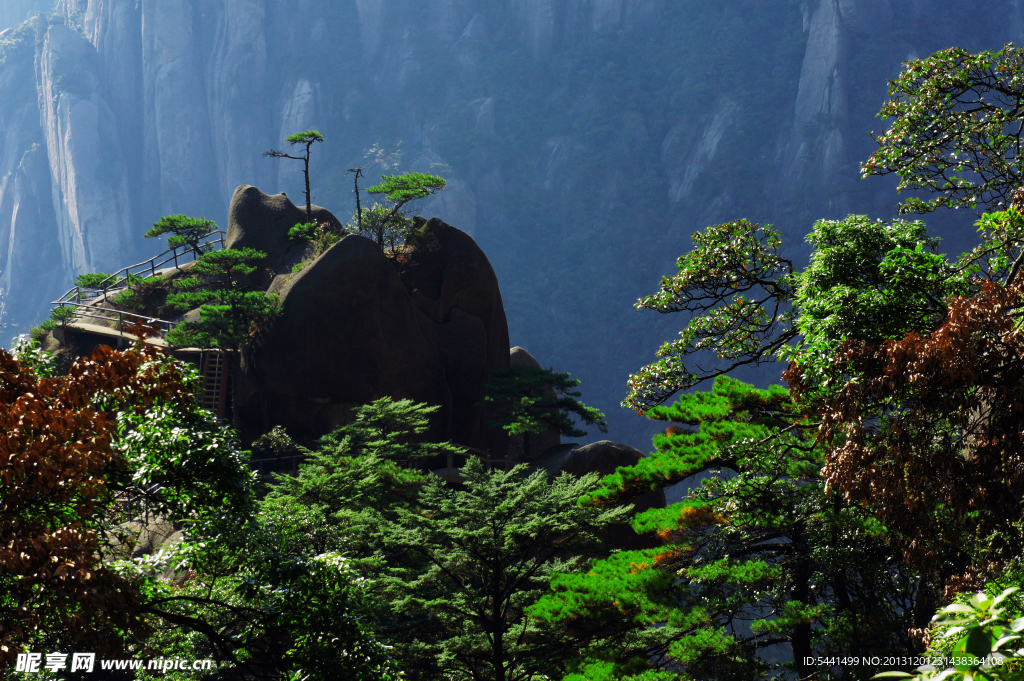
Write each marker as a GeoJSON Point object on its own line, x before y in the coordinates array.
{"type": "Point", "coordinates": [348, 335]}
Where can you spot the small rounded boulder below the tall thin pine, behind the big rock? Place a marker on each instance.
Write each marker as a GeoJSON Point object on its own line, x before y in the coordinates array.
{"type": "Point", "coordinates": [262, 222]}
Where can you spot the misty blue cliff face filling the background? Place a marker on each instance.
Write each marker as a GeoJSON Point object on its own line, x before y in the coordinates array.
{"type": "Point", "coordinates": [584, 141]}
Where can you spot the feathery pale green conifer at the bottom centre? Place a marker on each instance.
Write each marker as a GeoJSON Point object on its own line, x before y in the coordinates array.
{"type": "Point", "coordinates": [488, 554]}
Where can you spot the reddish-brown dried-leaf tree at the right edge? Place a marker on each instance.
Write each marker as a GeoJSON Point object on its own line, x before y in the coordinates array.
{"type": "Point", "coordinates": [931, 432]}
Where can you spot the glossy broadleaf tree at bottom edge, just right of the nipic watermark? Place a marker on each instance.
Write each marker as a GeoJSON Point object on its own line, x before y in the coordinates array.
{"type": "Point", "coordinates": [303, 616]}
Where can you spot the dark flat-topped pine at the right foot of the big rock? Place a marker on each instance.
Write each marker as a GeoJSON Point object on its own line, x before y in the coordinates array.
{"type": "Point", "coordinates": [533, 401]}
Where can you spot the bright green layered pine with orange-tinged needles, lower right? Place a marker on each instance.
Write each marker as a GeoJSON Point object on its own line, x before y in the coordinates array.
{"type": "Point", "coordinates": [758, 541]}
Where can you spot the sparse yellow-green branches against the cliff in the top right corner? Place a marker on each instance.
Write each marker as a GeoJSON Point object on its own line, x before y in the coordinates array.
{"type": "Point", "coordinates": [957, 130]}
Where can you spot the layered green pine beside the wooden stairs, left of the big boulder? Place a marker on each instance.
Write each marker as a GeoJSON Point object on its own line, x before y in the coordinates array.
{"type": "Point", "coordinates": [230, 316]}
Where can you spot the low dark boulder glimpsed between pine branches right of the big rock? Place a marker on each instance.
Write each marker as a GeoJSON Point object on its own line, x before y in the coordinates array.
{"type": "Point", "coordinates": [604, 458]}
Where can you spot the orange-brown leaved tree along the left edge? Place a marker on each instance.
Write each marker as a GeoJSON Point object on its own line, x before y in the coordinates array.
{"type": "Point", "coordinates": [57, 463]}
